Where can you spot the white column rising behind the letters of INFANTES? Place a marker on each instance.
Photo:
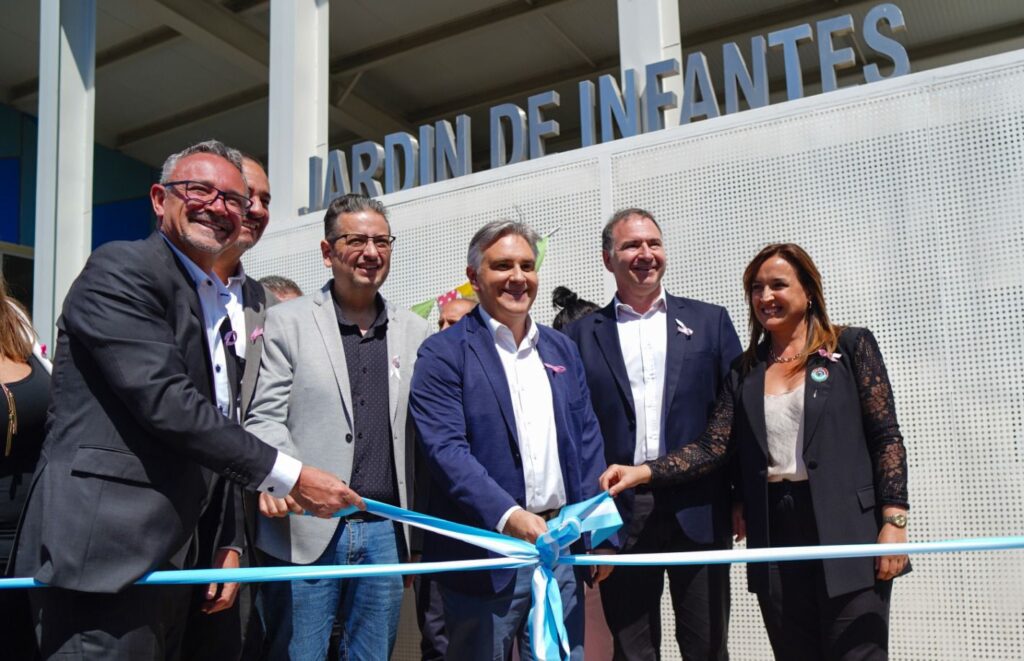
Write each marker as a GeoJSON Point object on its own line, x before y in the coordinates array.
{"type": "Point", "coordinates": [649, 33]}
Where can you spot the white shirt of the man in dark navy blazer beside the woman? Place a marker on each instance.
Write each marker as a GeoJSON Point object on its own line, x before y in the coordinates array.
{"type": "Point", "coordinates": [644, 339]}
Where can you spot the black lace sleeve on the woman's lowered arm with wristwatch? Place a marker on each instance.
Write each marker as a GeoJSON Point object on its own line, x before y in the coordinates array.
{"type": "Point", "coordinates": [881, 429]}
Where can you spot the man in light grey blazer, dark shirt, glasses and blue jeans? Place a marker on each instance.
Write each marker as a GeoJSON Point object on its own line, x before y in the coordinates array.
{"type": "Point", "coordinates": [334, 385]}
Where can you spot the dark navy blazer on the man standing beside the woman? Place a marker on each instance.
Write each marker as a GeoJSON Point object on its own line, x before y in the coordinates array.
{"type": "Point", "coordinates": [696, 368]}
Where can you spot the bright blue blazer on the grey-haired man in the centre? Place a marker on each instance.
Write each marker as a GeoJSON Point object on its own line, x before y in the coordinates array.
{"type": "Point", "coordinates": [462, 407]}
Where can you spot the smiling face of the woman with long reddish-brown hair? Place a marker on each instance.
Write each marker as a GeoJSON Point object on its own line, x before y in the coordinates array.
{"type": "Point", "coordinates": [779, 300]}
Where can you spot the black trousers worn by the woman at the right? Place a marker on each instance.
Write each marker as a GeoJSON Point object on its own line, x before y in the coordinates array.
{"type": "Point", "coordinates": [803, 623]}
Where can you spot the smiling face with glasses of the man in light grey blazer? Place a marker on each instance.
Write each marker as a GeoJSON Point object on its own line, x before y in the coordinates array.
{"type": "Point", "coordinates": [359, 271]}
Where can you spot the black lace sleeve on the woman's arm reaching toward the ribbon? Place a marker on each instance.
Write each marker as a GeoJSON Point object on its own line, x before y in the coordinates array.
{"type": "Point", "coordinates": [711, 451]}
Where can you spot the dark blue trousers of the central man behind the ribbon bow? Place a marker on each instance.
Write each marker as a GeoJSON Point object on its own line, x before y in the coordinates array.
{"type": "Point", "coordinates": [485, 628]}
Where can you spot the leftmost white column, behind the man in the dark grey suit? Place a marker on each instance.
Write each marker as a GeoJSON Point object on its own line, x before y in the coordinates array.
{"type": "Point", "coordinates": [64, 175]}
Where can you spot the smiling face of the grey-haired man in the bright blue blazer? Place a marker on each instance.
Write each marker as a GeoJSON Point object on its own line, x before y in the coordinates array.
{"type": "Point", "coordinates": [506, 282]}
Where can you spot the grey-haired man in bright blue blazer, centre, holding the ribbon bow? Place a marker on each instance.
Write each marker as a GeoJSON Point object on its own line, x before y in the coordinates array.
{"type": "Point", "coordinates": [508, 433]}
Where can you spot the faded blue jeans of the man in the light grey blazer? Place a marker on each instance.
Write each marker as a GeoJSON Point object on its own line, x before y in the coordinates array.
{"type": "Point", "coordinates": [298, 615]}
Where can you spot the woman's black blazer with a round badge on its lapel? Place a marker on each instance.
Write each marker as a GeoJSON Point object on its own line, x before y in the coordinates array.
{"type": "Point", "coordinates": [846, 447]}
